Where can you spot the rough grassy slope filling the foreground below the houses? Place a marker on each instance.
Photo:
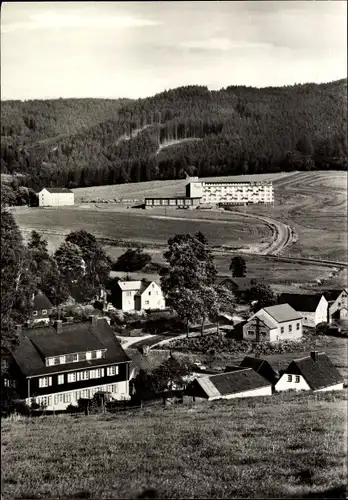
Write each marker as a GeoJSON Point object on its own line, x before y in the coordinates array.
{"type": "Point", "coordinates": [281, 446]}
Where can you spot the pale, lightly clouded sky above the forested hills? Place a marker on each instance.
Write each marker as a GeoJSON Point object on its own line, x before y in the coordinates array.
{"type": "Point", "coordinates": [137, 49]}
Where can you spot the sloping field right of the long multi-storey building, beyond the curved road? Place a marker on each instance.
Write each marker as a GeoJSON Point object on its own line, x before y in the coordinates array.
{"type": "Point", "coordinates": [315, 204]}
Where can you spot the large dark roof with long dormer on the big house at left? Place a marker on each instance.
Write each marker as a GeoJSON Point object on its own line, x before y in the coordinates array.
{"type": "Point", "coordinates": [38, 343]}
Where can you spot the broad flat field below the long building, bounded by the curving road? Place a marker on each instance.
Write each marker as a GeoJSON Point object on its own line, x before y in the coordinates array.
{"type": "Point", "coordinates": [144, 227]}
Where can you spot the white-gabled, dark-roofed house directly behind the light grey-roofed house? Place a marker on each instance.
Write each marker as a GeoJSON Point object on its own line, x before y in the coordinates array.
{"type": "Point", "coordinates": [313, 307]}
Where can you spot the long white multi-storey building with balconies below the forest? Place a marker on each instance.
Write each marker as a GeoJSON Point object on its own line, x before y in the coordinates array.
{"type": "Point", "coordinates": [231, 192]}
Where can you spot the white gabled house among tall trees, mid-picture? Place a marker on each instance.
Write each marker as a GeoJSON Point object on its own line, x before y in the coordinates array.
{"type": "Point", "coordinates": [138, 296]}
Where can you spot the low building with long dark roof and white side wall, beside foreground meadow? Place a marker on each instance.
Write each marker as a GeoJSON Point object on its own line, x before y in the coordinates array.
{"type": "Point", "coordinates": [239, 383]}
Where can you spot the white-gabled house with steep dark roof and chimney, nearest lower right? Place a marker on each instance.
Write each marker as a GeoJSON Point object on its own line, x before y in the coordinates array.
{"type": "Point", "coordinates": [315, 372]}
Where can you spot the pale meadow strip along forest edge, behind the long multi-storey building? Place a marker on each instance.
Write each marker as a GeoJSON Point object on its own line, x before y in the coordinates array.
{"type": "Point", "coordinates": [160, 188]}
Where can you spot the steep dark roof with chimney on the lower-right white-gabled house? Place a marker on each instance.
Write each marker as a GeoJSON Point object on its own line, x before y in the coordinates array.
{"type": "Point", "coordinates": [318, 374]}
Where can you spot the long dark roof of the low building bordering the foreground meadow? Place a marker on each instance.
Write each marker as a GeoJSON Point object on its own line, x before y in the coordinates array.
{"type": "Point", "coordinates": [232, 382]}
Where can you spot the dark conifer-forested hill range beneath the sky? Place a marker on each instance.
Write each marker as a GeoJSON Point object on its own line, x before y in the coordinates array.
{"type": "Point", "coordinates": [84, 142]}
